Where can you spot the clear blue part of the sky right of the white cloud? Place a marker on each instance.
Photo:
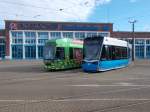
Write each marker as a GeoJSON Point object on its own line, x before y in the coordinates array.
{"type": "Point", "coordinates": [120, 12]}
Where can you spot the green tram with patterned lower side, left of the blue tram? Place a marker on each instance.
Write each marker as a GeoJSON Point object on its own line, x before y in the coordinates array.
{"type": "Point", "coordinates": [62, 54]}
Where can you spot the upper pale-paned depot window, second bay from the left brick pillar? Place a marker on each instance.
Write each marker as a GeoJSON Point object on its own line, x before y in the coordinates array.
{"type": "Point", "coordinates": [30, 37]}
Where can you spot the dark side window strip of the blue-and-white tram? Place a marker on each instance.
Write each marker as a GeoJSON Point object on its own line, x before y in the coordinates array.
{"type": "Point", "coordinates": [113, 53]}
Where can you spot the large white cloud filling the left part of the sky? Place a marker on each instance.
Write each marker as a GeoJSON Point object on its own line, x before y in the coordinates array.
{"type": "Point", "coordinates": [49, 10]}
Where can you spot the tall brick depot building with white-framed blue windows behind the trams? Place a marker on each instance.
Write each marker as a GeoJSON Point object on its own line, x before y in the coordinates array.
{"type": "Point", "coordinates": [26, 39]}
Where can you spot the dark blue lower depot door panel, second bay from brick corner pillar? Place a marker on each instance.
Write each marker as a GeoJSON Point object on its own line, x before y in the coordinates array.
{"type": "Point", "coordinates": [30, 52]}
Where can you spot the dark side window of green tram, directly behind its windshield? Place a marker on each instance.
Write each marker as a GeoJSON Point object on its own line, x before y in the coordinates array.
{"type": "Point", "coordinates": [60, 53]}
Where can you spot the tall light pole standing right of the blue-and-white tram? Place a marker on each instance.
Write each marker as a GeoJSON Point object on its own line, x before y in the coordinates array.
{"type": "Point", "coordinates": [133, 39]}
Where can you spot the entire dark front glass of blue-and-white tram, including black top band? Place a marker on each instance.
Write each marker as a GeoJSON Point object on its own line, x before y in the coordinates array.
{"type": "Point", "coordinates": [92, 49]}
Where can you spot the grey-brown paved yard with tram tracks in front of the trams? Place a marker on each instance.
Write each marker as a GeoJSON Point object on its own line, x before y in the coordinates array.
{"type": "Point", "coordinates": [26, 87]}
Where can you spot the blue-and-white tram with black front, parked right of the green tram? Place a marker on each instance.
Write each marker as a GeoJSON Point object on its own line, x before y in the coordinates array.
{"type": "Point", "coordinates": [105, 53]}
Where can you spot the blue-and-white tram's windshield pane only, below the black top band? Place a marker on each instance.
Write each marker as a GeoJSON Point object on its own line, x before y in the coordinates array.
{"type": "Point", "coordinates": [91, 50]}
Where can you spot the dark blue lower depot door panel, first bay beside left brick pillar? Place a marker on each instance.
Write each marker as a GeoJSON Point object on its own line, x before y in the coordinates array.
{"type": "Point", "coordinates": [17, 51]}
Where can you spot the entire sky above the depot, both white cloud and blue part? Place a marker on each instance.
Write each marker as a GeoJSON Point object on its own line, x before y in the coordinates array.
{"type": "Point", "coordinates": [118, 12]}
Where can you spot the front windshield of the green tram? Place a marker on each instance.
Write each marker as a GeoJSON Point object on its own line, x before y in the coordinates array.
{"type": "Point", "coordinates": [49, 52]}
